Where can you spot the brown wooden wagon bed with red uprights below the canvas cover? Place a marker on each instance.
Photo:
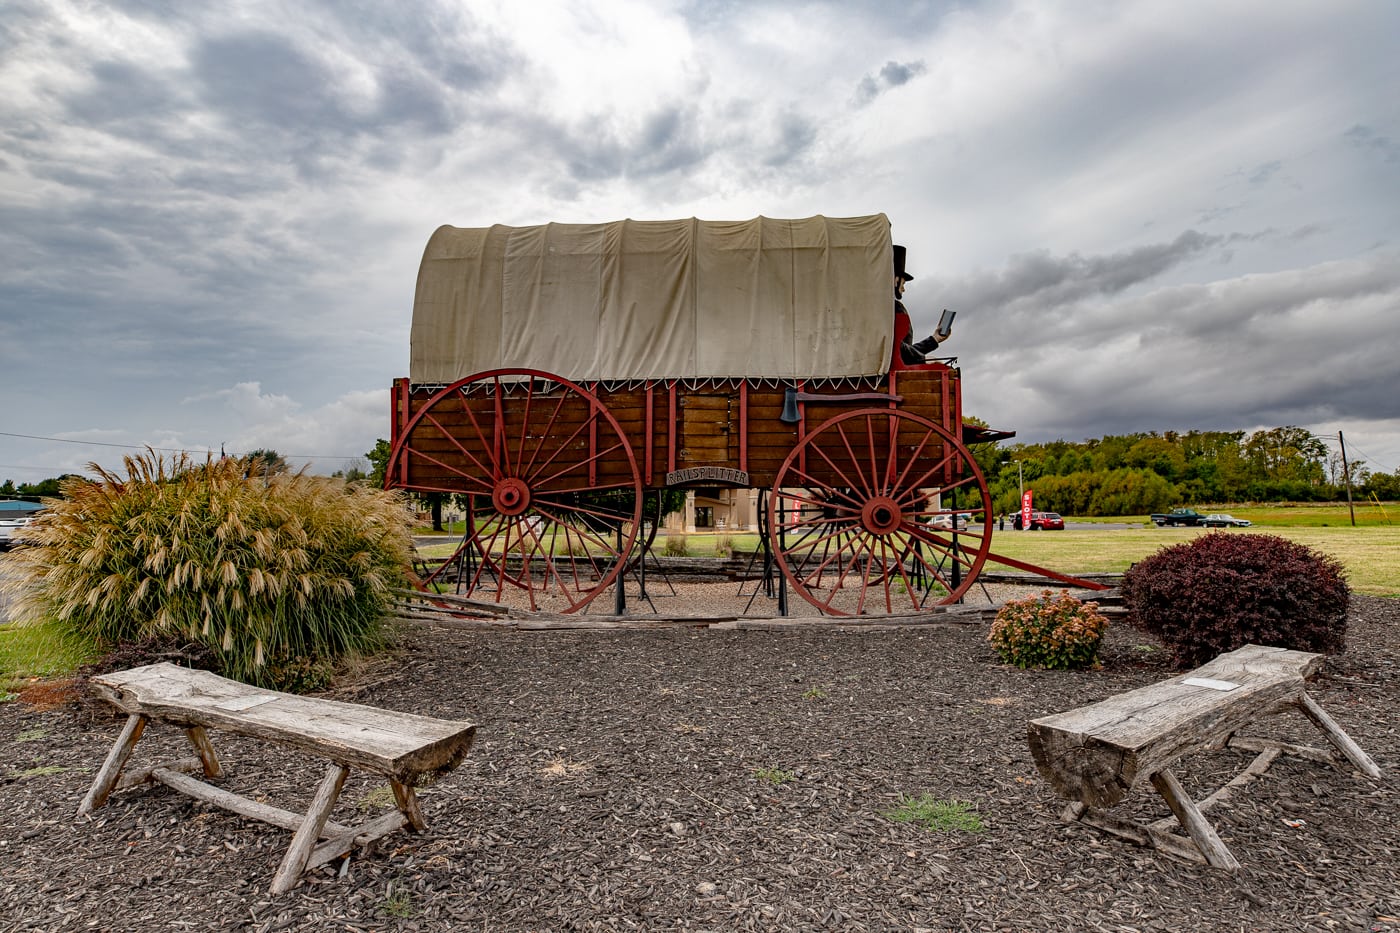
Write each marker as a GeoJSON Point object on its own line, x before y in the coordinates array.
{"type": "Point", "coordinates": [730, 432]}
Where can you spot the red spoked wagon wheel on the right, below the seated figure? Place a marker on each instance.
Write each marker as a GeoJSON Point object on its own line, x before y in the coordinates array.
{"type": "Point", "coordinates": [857, 512]}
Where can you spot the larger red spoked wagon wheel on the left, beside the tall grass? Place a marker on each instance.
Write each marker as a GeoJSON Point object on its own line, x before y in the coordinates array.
{"type": "Point", "coordinates": [554, 488]}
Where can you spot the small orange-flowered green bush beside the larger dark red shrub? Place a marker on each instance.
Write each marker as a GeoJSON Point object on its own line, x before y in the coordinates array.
{"type": "Point", "coordinates": [1060, 633]}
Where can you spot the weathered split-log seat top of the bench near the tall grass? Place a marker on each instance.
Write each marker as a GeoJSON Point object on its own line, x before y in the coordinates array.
{"type": "Point", "coordinates": [387, 743]}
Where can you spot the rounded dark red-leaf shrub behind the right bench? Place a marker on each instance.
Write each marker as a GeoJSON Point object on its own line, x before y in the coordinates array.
{"type": "Point", "coordinates": [1221, 592]}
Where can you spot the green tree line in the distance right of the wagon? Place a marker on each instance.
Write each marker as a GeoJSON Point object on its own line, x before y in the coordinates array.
{"type": "Point", "coordinates": [1146, 473]}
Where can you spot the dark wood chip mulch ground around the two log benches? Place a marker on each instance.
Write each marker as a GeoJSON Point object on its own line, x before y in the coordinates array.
{"type": "Point", "coordinates": [702, 780]}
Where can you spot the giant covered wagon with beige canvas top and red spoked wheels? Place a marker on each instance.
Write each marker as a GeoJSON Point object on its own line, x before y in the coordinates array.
{"type": "Point", "coordinates": [562, 376]}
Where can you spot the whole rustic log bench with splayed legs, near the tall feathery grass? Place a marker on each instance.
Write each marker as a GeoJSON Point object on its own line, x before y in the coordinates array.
{"type": "Point", "coordinates": [398, 746]}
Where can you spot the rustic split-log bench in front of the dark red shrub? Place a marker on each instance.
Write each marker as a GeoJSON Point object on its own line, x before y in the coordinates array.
{"type": "Point", "coordinates": [1097, 756]}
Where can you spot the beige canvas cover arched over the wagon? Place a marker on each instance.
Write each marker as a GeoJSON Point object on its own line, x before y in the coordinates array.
{"type": "Point", "coordinates": [670, 299]}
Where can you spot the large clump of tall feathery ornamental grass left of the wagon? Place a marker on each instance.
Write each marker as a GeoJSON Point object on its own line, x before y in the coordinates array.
{"type": "Point", "coordinates": [278, 576]}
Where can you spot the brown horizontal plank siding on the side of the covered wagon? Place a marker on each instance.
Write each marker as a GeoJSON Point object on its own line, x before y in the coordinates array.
{"type": "Point", "coordinates": [726, 424]}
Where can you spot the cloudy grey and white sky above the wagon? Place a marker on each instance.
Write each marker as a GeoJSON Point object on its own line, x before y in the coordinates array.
{"type": "Point", "coordinates": [1150, 216]}
